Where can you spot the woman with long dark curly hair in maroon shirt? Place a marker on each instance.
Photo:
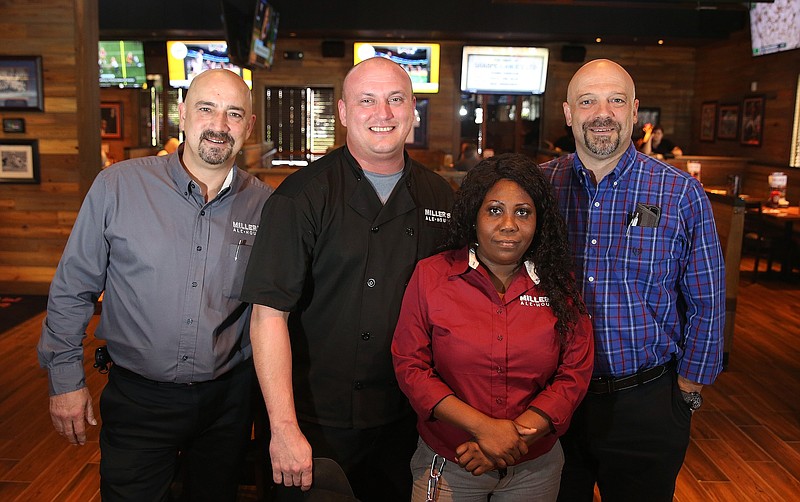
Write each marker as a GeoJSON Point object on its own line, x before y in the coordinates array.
{"type": "Point", "coordinates": [493, 346]}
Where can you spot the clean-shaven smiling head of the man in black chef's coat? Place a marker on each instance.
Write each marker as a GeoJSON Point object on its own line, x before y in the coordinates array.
{"type": "Point", "coordinates": [377, 107]}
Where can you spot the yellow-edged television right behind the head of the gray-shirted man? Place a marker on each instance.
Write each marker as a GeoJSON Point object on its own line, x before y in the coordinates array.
{"type": "Point", "coordinates": [189, 58]}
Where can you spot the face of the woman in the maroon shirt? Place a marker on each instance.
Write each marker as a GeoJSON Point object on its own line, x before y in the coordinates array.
{"type": "Point", "coordinates": [505, 225]}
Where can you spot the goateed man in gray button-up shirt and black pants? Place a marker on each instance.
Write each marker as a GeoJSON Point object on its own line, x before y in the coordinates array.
{"type": "Point", "coordinates": [167, 239]}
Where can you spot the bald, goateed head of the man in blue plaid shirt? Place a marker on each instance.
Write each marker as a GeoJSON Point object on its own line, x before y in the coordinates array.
{"type": "Point", "coordinates": [601, 109]}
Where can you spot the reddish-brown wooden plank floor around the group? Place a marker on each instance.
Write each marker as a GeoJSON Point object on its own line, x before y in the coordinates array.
{"type": "Point", "coordinates": [745, 440]}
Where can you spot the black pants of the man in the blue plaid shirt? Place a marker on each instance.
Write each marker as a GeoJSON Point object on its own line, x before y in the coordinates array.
{"type": "Point", "coordinates": [631, 443]}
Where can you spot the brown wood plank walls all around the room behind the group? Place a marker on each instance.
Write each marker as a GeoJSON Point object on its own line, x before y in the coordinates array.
{"type": "Point", "coordinates": [35, 220]}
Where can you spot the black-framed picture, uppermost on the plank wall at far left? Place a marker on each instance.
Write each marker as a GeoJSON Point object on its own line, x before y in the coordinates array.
{"type": "Point", "coordinates": [21, 83]}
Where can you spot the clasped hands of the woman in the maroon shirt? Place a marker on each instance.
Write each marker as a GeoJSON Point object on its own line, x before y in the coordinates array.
{"type": "Point", "coordinates": [496, 445]}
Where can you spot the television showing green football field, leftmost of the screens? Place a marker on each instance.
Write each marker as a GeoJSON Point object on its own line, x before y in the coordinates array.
{"type": "Point", "coordinates": [121, 63]}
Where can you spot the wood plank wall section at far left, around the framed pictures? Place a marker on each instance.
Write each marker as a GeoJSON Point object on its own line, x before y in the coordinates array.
{"type": "Point", "coordinates": [35, 220]}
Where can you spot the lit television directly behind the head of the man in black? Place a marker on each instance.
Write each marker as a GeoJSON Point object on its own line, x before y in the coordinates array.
{"type": "Point", "coordinates": [420, 60]}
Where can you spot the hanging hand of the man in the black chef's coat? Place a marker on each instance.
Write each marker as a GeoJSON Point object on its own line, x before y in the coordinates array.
{"type": "Point", "coordinates": [291, 458]}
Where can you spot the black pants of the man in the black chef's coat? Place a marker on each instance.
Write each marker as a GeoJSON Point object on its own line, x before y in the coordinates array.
{"type": "Point", "coordinates": [377, 461]}
